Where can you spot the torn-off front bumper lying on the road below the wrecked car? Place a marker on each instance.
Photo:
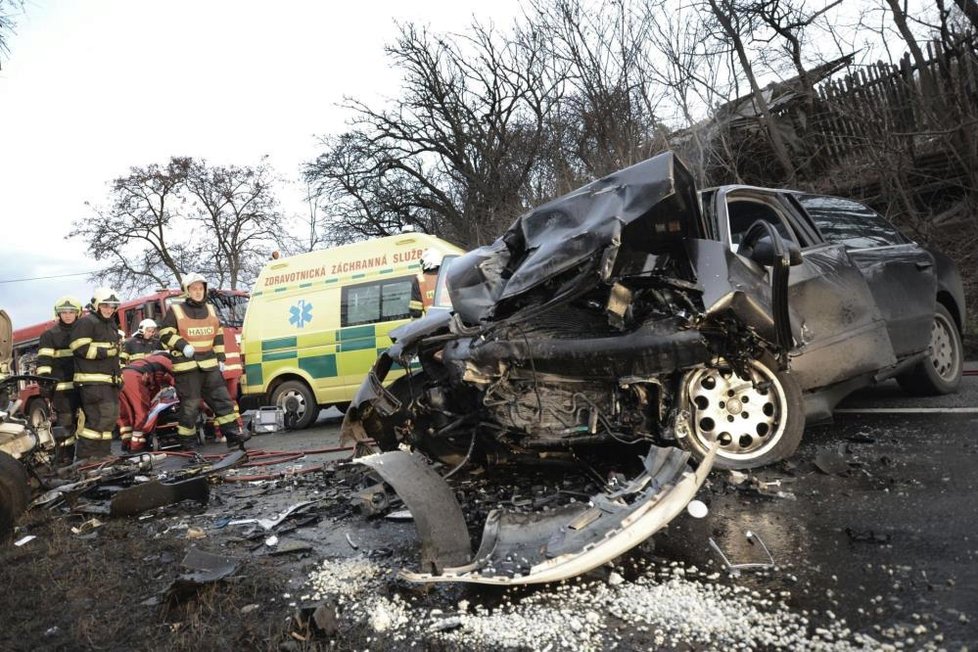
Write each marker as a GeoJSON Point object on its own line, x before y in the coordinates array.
{"type": "Point", "coordinates": [519, 548]}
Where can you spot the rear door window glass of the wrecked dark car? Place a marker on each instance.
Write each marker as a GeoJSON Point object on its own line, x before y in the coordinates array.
{"type": "Point", "coordinates": [850, 223]}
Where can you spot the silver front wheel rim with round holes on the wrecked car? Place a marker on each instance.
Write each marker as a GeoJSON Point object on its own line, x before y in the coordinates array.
{"type": "Point", "coordinates": [745, 416]}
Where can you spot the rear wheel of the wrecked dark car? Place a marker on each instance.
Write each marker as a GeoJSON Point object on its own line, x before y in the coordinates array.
{"type": "Point", "coordinates": [940, 371]}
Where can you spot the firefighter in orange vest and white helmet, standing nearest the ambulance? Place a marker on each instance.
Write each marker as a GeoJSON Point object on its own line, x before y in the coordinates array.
{"type": "Point", "coordinates": [193, 332]}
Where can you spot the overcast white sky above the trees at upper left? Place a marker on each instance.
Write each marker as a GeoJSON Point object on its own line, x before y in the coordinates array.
{"type": "Point", "coordinates": [92, 88]}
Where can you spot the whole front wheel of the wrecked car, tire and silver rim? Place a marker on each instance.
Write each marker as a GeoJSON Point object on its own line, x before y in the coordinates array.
{"type": "Point", "coordinates": [763, 423]}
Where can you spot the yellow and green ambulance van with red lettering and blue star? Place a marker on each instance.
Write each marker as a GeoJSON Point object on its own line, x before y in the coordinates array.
{"type": "Point", "coordinates": [317, 321]}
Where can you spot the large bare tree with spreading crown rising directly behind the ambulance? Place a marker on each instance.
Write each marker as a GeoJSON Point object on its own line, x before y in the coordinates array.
{"type": "Point", "coordinates": [455, 152]}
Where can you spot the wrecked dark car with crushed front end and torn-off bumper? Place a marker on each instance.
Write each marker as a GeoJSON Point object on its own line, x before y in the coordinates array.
{"type": "Point", "coordinates": [639, 325]}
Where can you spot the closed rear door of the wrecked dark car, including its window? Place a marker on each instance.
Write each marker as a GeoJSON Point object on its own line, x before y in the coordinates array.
{"type": "Point", "coordinates": [901, 275]}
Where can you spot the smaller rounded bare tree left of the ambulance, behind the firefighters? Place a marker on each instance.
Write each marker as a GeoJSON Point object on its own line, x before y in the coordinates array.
{"type": "Point", "coordinates": [164, 221]}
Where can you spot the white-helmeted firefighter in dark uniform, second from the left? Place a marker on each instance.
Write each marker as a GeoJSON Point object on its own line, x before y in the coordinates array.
{"type": "Point", "coordinates": [95, 345]}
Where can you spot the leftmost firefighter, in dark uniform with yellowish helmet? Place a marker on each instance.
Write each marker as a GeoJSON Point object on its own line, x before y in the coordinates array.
{"type": "Point", "coordinates": [54, 358]}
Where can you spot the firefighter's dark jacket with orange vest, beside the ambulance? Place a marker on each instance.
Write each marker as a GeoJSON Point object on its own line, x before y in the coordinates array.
{"type": "Point", "coordinates": [195, 323]}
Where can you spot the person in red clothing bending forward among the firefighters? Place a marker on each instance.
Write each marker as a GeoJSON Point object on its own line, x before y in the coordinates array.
{"type": "Point", "coordinates": [141, 380]}
